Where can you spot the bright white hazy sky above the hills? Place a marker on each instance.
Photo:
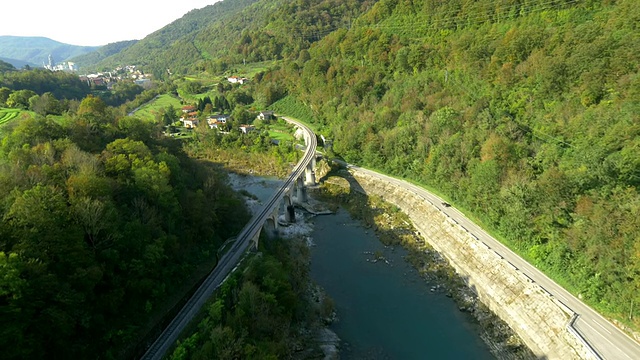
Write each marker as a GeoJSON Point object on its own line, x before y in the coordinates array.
{"type": "Point", "coordinates": [82, 22]}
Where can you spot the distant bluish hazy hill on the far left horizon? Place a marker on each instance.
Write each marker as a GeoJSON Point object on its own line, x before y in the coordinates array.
{"type": "Point", "coordinates": [36, 50]}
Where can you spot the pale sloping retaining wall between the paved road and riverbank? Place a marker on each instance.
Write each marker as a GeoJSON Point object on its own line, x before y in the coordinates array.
{"type": "Point", "coordinates": [528, 309]}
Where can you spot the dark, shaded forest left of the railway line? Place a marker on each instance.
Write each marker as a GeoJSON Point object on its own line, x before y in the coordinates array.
{"type": "Point", "coordinates": [103, 223]}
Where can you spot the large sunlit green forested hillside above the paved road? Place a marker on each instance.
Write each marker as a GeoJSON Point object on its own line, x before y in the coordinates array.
{"type": "Point", "coordinates": [526, 113]}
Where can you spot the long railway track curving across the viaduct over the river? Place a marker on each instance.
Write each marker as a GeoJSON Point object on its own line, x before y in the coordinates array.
{"type": "Point", "coordinates": [230, 259]}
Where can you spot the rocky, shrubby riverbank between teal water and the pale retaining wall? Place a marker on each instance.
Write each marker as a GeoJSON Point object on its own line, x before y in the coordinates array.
{"type": "Point", "coordinates": [394, 228]}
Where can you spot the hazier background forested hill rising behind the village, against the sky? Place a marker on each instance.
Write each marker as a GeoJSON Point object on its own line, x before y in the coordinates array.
{"type": "Point", "coordinates": [230, 32]}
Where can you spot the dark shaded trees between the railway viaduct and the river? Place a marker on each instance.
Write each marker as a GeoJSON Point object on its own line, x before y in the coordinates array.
{"type": "Point", "coordinates": [268, 309]}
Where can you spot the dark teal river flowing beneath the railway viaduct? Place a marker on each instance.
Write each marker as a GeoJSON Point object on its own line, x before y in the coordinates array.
{"type": "Point", "coordinates": [385, 310]}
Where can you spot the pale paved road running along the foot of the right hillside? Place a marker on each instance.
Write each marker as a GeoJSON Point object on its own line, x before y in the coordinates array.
{"type": "Point", "coordinates": [607, 340]}
